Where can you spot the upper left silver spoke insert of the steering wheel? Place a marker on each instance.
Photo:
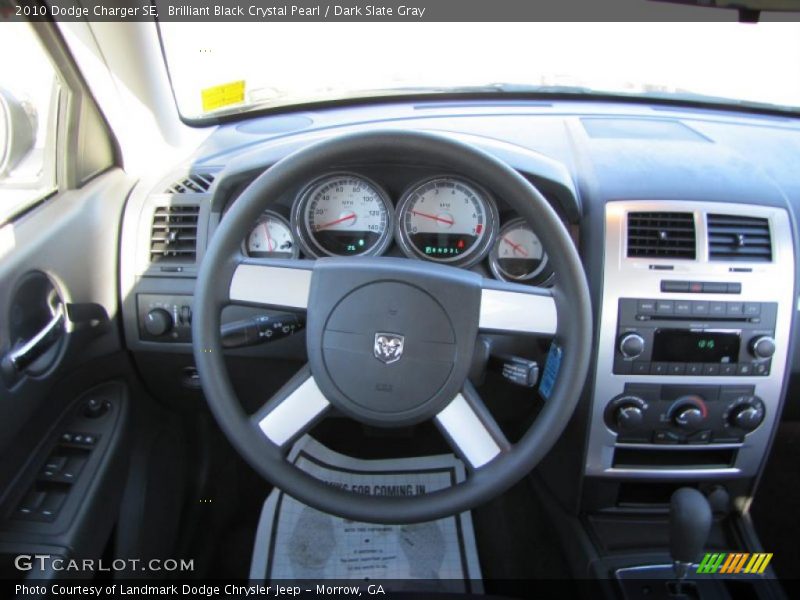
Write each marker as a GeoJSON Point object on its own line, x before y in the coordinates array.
{"type": "Point", "coordinates": [278, 283]}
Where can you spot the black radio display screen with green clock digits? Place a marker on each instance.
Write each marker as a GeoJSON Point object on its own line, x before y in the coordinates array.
{"type": "Point", "coordinates": [683, 345]}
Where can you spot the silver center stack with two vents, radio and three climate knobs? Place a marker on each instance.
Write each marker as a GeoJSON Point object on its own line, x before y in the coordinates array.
{"type": "Point", "coordinates": [694, 334]}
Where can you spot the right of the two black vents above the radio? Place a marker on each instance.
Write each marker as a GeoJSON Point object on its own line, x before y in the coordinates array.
{"type": "Point", "coordinates": [739, 238]}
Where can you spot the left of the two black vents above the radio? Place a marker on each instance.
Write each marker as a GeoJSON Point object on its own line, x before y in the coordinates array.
{"type": "Point", "coordinates": [661, 235]}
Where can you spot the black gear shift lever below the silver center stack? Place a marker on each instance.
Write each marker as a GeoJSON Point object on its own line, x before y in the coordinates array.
{"type": "Point", "coordinates": [689, 525]}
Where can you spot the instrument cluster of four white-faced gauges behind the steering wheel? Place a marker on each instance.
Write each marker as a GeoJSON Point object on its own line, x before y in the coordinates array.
{"type": "Point", "coordinates": [445, 219]}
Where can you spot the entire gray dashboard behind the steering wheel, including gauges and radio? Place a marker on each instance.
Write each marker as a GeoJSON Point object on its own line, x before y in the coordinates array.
{"type": "Point", "coordinates": [685, 220]}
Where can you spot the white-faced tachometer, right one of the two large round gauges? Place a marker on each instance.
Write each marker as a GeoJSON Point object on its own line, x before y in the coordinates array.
{"type": "Point", "coordinates": [447, 220]}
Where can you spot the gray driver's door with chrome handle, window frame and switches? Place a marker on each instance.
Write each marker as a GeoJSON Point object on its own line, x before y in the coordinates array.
{"type": "Point", "coordinates": [65, 377]}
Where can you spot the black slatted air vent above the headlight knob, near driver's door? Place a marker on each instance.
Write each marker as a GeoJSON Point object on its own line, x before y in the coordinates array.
{"type": "Point", "coordinates": [174, 233]}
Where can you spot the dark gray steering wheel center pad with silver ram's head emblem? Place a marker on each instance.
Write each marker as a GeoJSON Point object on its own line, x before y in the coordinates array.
{"type": "Point", "coordinates": [390, 341]}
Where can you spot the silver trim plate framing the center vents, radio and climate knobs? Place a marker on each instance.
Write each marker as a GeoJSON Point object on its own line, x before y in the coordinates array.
{"type": "Point", "coordinates": [625, 277]}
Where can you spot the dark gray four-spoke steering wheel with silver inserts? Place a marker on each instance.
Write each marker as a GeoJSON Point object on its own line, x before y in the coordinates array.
{"type": "Point", "coordinates": [433, 313]}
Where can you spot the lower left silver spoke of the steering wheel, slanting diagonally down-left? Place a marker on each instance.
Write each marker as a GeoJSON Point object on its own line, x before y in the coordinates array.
{"type": "Point", "coordinates": [292, 411]}
